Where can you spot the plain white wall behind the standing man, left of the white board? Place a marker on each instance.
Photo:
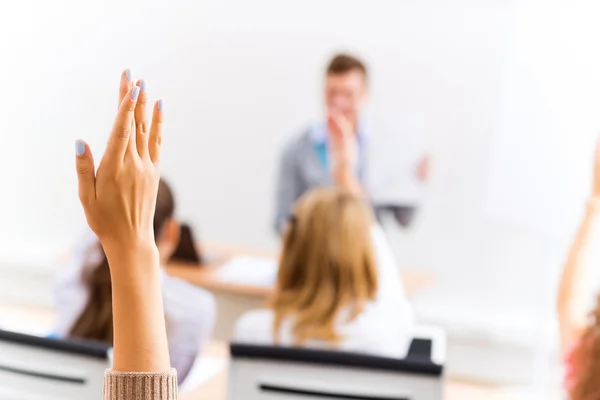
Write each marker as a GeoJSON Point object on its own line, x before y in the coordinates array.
{"type": "Point", "coordinates": [240, 77]}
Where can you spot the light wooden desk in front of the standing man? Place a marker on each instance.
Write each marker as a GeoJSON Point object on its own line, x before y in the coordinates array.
{"type": "Point", "coordinates": [235, 299]}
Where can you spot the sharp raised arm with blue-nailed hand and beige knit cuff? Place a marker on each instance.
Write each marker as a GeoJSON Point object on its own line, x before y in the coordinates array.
{"type": "Point", "coordinates": [119, 199]}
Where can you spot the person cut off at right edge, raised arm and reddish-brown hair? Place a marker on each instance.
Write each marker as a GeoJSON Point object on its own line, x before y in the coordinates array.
{"type": "Point", "coordinates": [580, 327]}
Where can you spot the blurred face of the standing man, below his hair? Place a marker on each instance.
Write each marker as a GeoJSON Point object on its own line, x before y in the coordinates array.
{"type": "Point", "coordinates": [346, 93]}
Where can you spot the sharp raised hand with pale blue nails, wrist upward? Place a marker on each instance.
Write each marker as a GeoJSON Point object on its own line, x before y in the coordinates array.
{"type": "Point", "coordinates": [120, 198]}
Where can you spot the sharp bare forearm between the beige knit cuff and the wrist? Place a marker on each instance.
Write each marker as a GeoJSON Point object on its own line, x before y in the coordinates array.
{"type": "Point", "coordinates": [140, 340]}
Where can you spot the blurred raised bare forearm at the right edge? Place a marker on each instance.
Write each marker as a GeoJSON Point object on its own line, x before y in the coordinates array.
{"type": "Point", "coordinates": [572, 298]}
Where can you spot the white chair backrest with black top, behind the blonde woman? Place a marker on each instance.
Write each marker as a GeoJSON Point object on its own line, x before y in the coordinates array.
{"type": "Point", "coordinates": [285, 373]}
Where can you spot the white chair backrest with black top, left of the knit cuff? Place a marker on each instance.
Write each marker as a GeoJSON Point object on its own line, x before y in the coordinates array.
{"type": "Point", "coordinates": [33, 367]}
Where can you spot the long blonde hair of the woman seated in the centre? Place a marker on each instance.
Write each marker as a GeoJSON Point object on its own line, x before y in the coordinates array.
{"type": "Point", "coordinates": [327, 265]}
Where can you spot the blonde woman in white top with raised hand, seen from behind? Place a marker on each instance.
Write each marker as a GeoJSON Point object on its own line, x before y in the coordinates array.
{"type": "Point", "coordinates": [338, 285]}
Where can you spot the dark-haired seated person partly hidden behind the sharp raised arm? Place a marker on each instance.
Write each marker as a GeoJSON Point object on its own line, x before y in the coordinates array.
{"type": "Point", "coordinates": [83, 293]}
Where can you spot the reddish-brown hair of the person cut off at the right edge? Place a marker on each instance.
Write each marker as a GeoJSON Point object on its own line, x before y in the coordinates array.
{"type": "Point", "coordinates": [585, 360]}
